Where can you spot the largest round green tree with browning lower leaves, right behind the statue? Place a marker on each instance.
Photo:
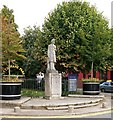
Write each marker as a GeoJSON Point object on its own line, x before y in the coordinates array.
{"type": "Point", "coordinates": [82, 36]}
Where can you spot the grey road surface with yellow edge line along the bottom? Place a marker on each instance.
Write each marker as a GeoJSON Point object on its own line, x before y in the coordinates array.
{"type": "Point", "coordinates": [106, 115]}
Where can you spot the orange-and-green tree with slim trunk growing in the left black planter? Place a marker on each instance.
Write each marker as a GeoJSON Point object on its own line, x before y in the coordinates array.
{"type": "Point", "coordinates": [11, 42]}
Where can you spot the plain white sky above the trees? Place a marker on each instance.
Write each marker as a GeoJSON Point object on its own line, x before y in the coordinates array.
{"type": "Point", "coordinates": [33, 12]}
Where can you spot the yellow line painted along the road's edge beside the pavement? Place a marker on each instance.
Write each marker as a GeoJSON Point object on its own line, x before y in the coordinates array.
{"type": "Point", "coordinates": [63, 116]}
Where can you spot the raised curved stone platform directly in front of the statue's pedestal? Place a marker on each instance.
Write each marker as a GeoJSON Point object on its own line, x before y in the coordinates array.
{"type": "Point", "coordinates": [41, 103]}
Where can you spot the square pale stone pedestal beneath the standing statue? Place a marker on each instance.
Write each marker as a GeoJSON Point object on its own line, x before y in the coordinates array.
{"type": "Point", "coordinates": [53, 85]}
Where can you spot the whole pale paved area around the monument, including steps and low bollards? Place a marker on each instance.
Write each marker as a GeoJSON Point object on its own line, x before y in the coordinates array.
{"type": "Point", "coordinates": [71, 105]}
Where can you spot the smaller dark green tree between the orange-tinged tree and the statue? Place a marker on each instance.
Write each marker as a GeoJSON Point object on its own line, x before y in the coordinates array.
{"type": "Point", "coordinates": [34, 63]}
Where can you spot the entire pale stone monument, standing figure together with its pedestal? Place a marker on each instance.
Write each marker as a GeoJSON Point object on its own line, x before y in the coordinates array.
{"type": "Point", "coordinates": [53, 84]}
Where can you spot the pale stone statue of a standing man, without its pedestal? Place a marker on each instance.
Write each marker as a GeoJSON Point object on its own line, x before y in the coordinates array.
{"type": "Point", "coordinates": [51, 60]}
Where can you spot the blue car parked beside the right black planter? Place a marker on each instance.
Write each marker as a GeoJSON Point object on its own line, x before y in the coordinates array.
{"type": "Point", "coordinates": [106, 87]}
